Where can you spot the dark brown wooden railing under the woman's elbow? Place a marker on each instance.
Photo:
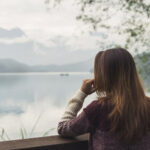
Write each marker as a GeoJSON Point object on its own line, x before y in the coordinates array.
{"type": "Point", "coordinates": [47, 143]}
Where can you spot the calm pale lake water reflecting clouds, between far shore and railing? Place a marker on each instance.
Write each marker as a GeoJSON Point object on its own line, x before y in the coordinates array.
{"type": "Point", "coordinates": [31, 104]}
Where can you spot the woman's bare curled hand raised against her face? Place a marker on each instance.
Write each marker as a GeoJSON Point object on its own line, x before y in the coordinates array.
{"type": "Point", "coordinates": [88, 86]}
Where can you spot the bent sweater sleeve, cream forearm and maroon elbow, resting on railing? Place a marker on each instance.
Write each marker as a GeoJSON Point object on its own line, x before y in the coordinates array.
{"type": "Point", "coordinates": [70, 124]}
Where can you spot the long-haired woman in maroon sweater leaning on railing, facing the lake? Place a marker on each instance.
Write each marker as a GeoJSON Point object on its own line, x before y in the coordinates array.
{"type": "Point", "coordinates": [119, 118]}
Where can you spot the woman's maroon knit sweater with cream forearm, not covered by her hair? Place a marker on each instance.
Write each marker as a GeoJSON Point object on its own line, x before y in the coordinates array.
{"type": "Point", "coordinates": [93, 120]}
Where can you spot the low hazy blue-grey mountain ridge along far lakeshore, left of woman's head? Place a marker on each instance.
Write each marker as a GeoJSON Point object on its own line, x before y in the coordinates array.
{"type": "Point", "coordinates": [10, 65]}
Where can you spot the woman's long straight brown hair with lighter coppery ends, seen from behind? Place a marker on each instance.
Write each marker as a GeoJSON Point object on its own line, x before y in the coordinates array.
{"type": "Point", "coordinates": [115, 73]}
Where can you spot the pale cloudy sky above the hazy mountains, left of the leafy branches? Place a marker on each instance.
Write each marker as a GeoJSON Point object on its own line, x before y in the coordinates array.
{"type": "Point", "coordinates": [32, 34]}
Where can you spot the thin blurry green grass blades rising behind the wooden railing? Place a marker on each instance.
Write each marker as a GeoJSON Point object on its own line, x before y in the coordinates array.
{"type": "Point", "coordinates": [23, 132]}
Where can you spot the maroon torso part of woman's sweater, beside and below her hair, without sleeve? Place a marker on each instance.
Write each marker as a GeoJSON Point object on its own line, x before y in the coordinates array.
{"type": "Point", "coordinates": [101, 138]}
